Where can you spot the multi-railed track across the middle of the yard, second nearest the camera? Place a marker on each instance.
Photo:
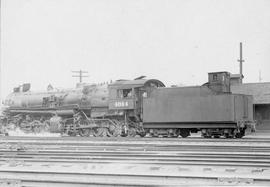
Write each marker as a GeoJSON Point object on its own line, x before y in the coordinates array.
{"type": "Point", "coordinates": [188, 159]}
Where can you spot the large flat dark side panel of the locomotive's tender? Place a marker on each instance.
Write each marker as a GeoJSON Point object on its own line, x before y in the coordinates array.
{"type": "Point", "coordinates": [168, 107]}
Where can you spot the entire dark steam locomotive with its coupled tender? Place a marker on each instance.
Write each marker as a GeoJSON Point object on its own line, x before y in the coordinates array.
{"type": "Point", "coordinates": [134, 107]}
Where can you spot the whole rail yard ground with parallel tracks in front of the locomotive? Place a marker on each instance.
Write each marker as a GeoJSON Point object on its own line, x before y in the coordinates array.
{"type": "Point", "coordinates": [50, 160]}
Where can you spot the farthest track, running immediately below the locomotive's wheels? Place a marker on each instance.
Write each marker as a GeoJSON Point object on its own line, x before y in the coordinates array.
{"type": "Point", "coordinates": [136, 141]}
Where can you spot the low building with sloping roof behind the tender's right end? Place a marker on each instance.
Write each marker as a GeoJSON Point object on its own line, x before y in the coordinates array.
{"type": "Point", "coordinates": [261, 96]}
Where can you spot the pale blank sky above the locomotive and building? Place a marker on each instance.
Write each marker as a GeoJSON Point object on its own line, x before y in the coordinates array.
{"type": "Point", "coordinates": [175, 41]}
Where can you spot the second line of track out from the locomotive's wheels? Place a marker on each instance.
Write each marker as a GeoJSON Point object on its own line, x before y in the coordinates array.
{"type": "Point", "coordinates": [129, 147]}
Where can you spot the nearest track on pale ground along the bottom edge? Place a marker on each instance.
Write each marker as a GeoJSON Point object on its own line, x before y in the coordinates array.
{"type": "Point", "coordinates": [130, 175]}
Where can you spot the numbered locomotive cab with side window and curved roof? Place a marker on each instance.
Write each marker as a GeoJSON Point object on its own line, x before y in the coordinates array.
{"type": "Point", "coordinates": [126, 96]}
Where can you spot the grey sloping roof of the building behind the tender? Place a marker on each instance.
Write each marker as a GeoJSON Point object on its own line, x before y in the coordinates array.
{"type": "Point", "coordinates": [260, 91]}
